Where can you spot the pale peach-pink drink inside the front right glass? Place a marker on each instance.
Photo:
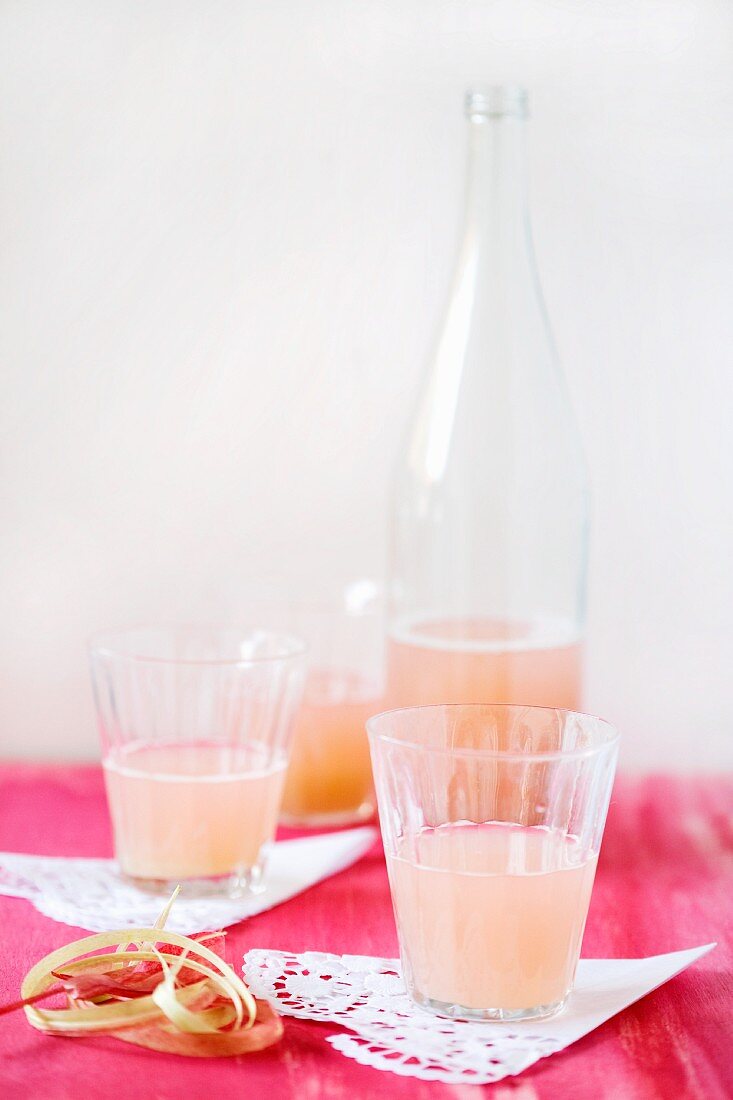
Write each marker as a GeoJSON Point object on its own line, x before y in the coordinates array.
{"type": "Point", "coordinates": [491, 917]}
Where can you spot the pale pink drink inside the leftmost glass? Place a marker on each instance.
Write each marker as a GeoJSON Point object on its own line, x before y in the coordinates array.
{"type": "Point", "coordinates": [183, 811]}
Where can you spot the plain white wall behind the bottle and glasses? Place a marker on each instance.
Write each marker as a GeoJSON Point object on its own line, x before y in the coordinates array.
{"type": "Point", "coordinates": [226, 236]}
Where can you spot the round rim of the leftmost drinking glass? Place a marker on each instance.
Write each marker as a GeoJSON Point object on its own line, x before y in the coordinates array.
{"type": "Point", "coordinates": [103, 644]}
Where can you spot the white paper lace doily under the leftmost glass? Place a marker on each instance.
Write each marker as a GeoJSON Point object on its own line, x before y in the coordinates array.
{"type": "Point", "coordinates": [90, 894]}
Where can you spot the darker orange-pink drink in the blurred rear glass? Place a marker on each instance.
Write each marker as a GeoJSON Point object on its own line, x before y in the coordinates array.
{"type": "Point", "coordinates": [330, 777]}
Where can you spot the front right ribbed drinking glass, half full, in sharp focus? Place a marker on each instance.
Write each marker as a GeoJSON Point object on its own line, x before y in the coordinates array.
{"type": "Point", "coordinates": [493, 818]}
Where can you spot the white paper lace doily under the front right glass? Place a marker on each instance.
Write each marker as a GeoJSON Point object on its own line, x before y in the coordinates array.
{"type": "Point", "coordinates": [389, 1032]}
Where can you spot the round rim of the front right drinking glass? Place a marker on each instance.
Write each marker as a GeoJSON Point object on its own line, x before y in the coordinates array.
{"type": "Point", "coordinates": [610, 743]}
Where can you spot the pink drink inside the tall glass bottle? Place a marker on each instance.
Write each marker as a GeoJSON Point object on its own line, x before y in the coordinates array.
{"type": "Point", "coordinates": [485, 662]}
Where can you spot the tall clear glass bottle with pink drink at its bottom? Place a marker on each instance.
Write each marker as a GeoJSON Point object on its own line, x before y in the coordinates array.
{"type": "Point", "coordinates": [490, 510]}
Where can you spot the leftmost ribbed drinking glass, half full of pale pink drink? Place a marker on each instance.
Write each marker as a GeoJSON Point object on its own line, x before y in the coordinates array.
{"type": "Point", "coordinates": [196, 729]}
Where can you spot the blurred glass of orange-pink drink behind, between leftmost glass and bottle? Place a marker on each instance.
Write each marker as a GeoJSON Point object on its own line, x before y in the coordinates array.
{"type": "Point", "coordinates": [330, 778]}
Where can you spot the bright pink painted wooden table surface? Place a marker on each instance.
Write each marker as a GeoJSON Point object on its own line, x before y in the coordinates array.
{"type": "Point", "coordinates": [665, 883]}
